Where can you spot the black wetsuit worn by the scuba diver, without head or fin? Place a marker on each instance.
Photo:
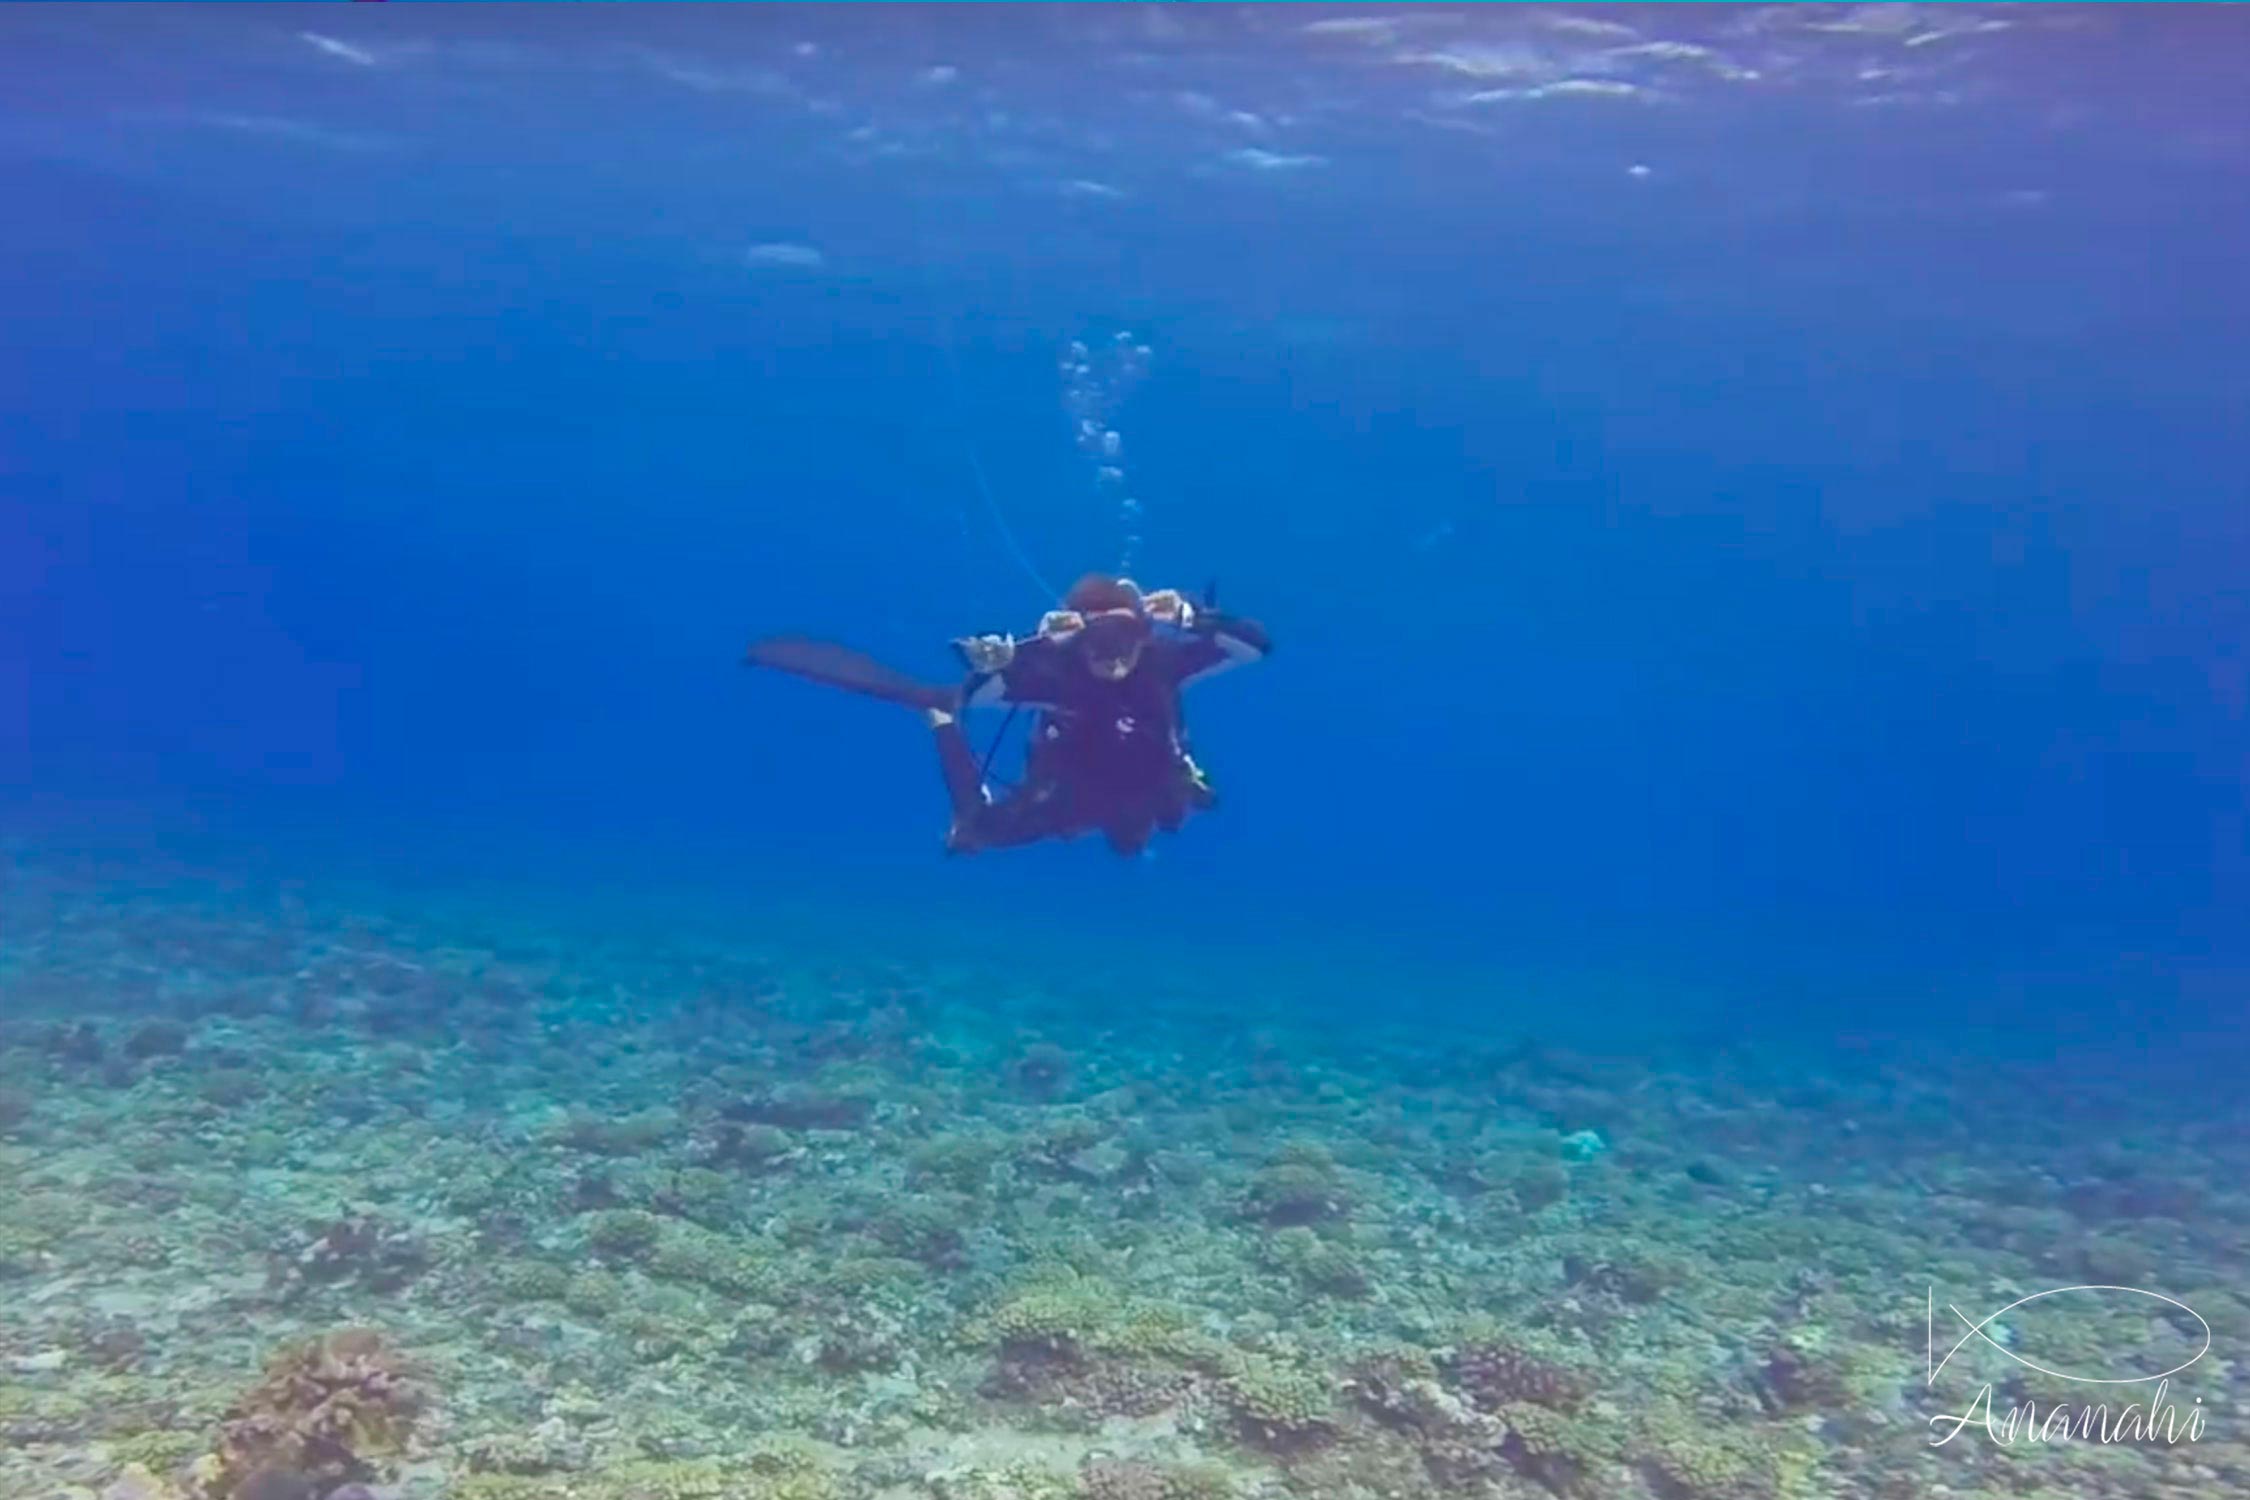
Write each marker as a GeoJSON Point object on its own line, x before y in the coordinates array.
{"type": "Point", "coordinates": [1106, 757]}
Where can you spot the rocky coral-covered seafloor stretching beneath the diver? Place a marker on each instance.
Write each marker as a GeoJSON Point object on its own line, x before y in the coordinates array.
{"type": "Point", "coordinates": [303, 1207]}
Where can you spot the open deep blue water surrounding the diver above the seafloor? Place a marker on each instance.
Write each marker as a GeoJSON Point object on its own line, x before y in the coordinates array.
{"type": "Point", "coordinates": [1810, 572]}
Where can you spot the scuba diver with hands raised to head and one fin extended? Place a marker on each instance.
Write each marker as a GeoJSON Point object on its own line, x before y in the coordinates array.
{"type": "Point", "coordinates": [1104, 678]}
